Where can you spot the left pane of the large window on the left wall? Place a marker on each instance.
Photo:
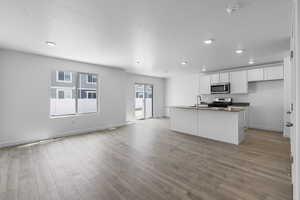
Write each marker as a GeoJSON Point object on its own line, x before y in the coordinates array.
{"type": "Point", "coordinates": [62, 100]}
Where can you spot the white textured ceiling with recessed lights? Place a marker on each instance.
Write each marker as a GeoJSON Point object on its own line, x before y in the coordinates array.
{"type": "Point", "coordinates": [160, 34]}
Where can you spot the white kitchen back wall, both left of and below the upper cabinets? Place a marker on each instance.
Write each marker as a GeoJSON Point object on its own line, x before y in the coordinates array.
{"type": "Point", "coordinates": [266, 99]}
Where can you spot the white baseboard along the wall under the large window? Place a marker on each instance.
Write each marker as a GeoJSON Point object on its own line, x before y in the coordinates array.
{"type": "Point", "coordinates": [59, 135]}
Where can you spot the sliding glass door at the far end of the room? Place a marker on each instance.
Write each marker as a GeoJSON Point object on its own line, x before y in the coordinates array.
{"type": "Point", "coordinates": [143, 101]}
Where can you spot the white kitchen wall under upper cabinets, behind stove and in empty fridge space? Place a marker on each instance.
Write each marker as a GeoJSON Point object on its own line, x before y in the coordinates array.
{"type": "Point", "coordinates": [266, 104]}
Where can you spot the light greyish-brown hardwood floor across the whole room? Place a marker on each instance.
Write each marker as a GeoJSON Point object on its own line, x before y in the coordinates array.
{"type": "Point", "coordinates": [147, 161]}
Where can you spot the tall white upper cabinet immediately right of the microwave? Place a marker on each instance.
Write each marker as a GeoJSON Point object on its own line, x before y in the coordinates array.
{"type": "Point", "coordinates": [238, 82]}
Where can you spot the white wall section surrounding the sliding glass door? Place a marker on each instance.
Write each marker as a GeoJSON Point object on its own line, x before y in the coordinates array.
{"type": "Point", "coordinates": [158, 94]}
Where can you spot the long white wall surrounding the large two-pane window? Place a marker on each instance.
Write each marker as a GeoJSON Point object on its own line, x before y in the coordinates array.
{"type": "Point", "coordinates": [25, 98]}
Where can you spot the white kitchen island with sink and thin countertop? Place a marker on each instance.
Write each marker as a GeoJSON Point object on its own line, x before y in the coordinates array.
{"type": "Point", "coordinates": [221, 124]}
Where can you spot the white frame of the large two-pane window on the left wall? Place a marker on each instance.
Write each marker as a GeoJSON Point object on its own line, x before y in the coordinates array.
{"type": "Point", "coordinates": [76, 95]}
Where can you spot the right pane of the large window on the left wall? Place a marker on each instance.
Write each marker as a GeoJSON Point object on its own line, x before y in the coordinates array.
{"type": "Point", "coordinates": [87, 98]}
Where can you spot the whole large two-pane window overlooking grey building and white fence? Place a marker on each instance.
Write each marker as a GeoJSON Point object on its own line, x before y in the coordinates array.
{"type": "Point", "coordinates": [71, 93]}
